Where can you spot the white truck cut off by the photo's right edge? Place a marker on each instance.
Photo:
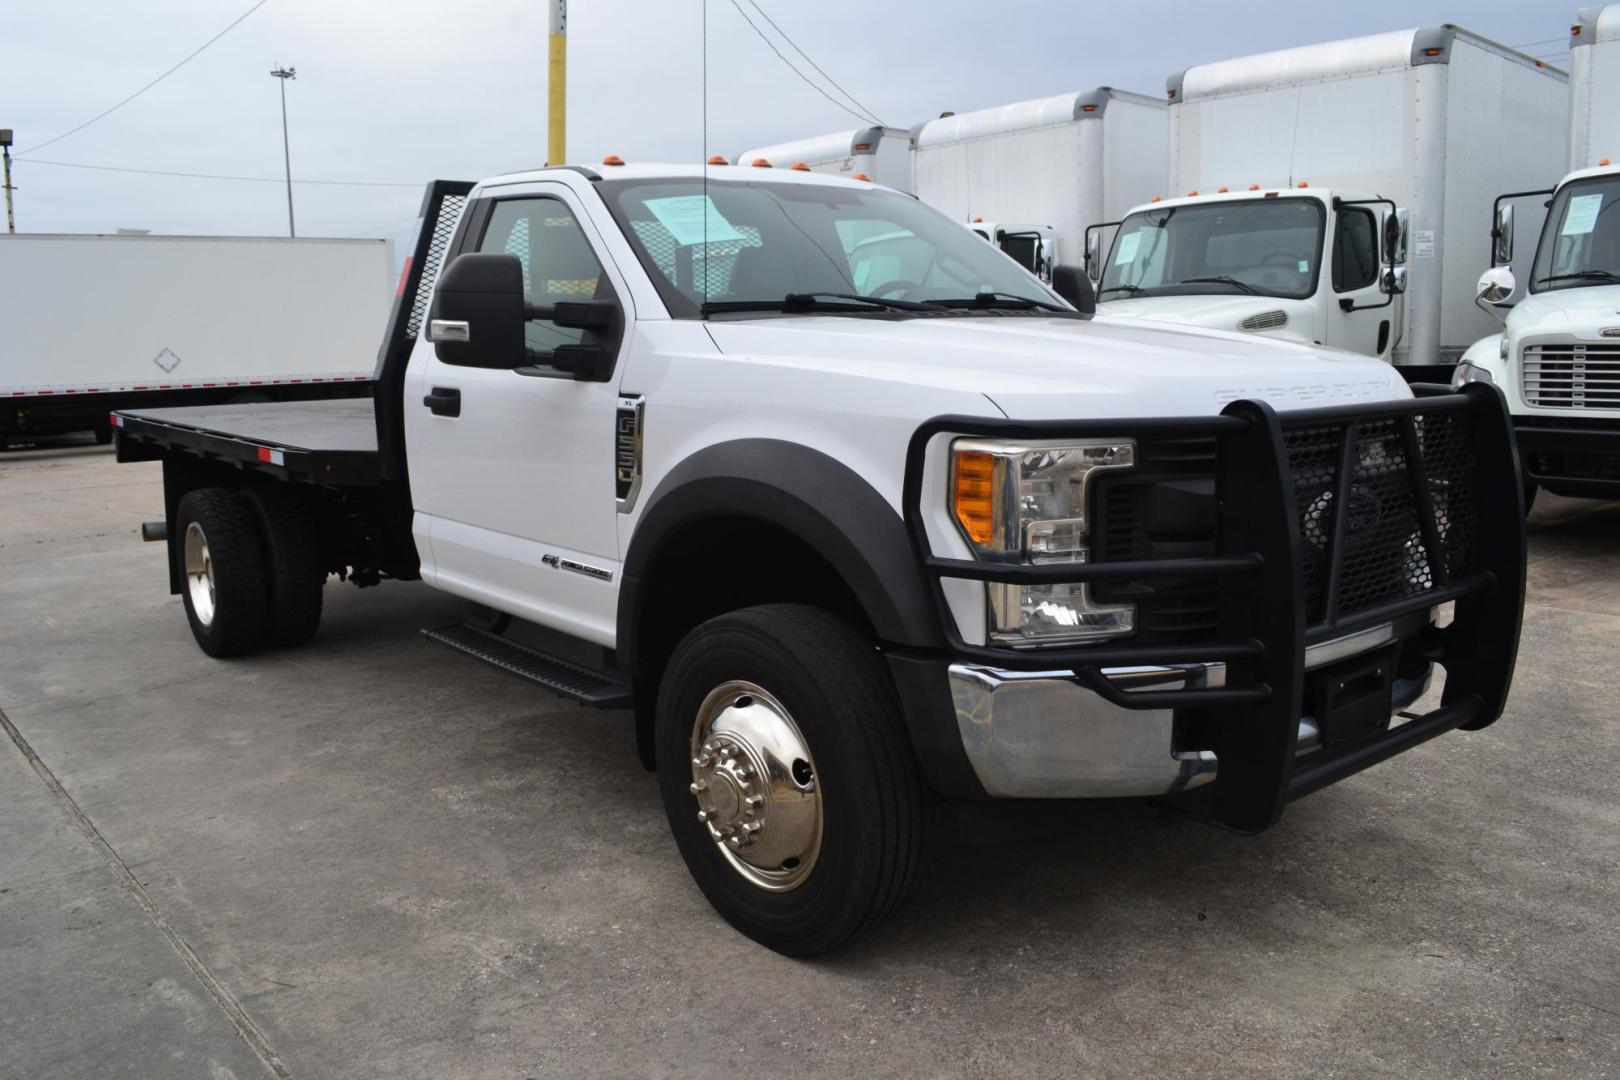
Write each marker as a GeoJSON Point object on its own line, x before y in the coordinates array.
{"type": "Point", "coordinates": [1558, 359]}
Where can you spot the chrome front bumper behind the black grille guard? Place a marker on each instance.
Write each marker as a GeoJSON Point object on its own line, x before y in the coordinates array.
{"type": "Point", "coordinates": [1046, 736]}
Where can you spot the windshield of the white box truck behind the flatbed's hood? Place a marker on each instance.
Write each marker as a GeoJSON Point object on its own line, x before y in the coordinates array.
{"type": "Point", "coordinates": [1268, 247]}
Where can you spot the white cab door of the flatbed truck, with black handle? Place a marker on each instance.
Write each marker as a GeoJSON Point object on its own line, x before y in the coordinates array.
{"type": "Point", "coordinates": [514, 491]}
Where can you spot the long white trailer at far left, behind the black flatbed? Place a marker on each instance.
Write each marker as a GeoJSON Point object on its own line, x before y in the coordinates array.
{"type": "Point", "coordinates": [96, 323]}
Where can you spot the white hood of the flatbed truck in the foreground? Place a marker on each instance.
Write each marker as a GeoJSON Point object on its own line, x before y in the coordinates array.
{"type": "Point", "coordinates": [1036, 368]}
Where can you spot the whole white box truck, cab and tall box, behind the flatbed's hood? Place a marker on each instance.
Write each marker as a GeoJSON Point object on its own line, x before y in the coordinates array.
{"type": "Point", "coordinates": [1287, 166]}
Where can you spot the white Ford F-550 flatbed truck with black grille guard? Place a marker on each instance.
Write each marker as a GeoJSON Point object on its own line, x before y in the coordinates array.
{"type": "Point", "coordinates": [853, 535]}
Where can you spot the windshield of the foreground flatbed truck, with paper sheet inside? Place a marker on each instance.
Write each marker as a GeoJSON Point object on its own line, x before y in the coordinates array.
{"type": "Point", "coordinates": [761, 242]}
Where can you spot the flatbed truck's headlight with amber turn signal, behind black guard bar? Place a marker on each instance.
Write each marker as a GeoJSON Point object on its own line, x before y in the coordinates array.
{"type": "Point", "coordinates": [1026, 503]}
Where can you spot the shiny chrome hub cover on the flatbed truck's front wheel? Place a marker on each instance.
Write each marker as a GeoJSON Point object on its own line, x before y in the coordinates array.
{"type": "Point", "coordinates": [756, 786]}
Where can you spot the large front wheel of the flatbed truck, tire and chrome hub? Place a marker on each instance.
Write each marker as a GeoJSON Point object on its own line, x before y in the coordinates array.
{"type": "Point", "coordinates": [780, 726]}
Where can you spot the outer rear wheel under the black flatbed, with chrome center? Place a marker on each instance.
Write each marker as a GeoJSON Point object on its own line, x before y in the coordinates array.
{"type": "Point", "coordinates": [221, 563]}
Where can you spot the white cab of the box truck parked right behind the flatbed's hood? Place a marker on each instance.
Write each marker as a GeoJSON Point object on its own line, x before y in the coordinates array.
{"type": "Point", "coordinates": [1307, 265]}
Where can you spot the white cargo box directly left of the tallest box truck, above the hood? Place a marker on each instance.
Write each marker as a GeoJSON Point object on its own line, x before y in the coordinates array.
{"type": "Point", "coordinates": [1064, 163]}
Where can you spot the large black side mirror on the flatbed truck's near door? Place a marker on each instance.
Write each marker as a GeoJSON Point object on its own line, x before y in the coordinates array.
{"type": "Point", "coordinates": [477, 317]}
